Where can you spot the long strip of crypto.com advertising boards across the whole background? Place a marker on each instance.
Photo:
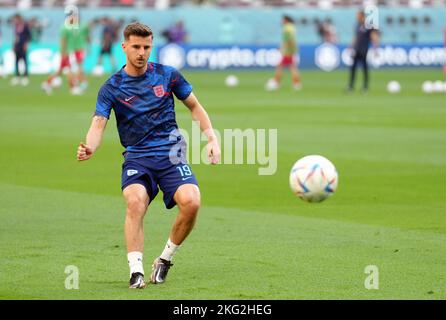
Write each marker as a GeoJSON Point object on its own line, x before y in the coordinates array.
{"type": "Point", "coordinates": [327, 57]}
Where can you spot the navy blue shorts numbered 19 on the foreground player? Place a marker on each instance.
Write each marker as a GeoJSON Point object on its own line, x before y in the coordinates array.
{"type": "Point", "coordinates": [157, 171]}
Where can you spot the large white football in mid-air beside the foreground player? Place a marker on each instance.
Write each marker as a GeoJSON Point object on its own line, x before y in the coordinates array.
{"type": "Point", "coordinates": [313, 178]}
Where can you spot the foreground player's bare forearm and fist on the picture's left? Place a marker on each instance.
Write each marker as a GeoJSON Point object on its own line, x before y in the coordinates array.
{"type": "Point", "coordinates": [94, 138]}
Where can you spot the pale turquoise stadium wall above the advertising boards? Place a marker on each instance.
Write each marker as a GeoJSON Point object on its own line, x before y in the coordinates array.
{"type": "Point", "coordinates": [210, 25]}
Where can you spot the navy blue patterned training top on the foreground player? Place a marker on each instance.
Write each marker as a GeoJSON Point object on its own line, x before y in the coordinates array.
{"type": "Point", "coordinates": [144, 109]}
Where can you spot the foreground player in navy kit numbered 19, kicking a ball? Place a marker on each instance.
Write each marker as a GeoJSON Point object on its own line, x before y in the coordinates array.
{"type": "Point", "coordinates": [141, 95]}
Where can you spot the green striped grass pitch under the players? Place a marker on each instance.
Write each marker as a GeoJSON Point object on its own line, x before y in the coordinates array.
{"type": "Point", "coordinates": [254, 239]}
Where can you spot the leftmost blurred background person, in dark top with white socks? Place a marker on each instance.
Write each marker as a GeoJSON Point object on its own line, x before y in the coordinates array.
{"type": "Point", "coordinates": [22, 37]}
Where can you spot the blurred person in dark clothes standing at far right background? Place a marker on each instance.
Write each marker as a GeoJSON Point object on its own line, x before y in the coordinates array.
{"type": "Point", "coordinates": [361, 43]}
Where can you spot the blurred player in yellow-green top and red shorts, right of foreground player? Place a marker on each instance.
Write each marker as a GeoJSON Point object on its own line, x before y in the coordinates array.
{"type": "Point", "coordinates": [289, 56]}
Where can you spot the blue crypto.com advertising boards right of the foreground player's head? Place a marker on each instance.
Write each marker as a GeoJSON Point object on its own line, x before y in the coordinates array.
{"type": "Point", "coordinates": [327, 57]}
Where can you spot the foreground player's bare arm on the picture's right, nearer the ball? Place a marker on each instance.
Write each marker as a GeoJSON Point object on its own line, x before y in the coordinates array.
{"type": "Point", "coordinates": [200, 115]}
